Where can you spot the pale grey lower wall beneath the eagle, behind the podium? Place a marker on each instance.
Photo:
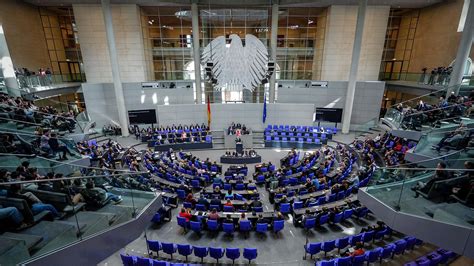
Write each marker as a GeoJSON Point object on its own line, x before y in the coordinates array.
{"type": "Point", "coordinates": [296, 104]}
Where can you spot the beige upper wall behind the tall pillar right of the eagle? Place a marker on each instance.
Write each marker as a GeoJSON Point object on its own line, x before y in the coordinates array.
{"type": "Point", "coordinates": [339, 39]}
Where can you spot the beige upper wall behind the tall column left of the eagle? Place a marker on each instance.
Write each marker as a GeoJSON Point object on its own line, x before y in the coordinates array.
{"type": "Point", "coordinates": [128, 39]}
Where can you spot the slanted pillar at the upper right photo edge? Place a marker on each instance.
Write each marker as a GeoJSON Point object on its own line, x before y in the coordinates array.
{"type": "Point", "coordinates": [464, 49]}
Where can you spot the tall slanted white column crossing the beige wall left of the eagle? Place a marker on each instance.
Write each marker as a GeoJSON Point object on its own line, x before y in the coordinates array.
{"type": "Point", "coordinates": [119, 98]}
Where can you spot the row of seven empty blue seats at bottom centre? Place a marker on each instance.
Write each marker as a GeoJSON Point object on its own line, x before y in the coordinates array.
{"type": "Point", "coordinates": [201, 252]}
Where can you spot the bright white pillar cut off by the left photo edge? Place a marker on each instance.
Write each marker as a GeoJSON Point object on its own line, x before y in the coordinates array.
{"type": "Point", "coordinates": [6, 65]}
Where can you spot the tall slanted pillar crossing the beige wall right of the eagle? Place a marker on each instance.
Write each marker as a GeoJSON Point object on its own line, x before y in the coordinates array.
{"type": "Point", "coordinates": [346, 122]}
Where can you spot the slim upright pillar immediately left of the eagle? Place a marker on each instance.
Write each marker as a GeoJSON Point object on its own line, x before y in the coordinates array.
{"type": "Point", "coordinates": [196, 52]}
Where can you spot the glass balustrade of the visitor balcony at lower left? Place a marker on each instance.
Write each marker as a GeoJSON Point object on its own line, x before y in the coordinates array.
{"type": "Point", "coordinates": [66, 208]}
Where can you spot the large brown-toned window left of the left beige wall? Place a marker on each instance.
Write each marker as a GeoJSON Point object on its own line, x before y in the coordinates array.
{"type": "Point", "coordinates": [63, 44]}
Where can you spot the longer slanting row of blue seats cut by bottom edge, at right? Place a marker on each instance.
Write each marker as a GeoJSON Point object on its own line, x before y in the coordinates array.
{"type": "Point", "coordinates": [376, 254]}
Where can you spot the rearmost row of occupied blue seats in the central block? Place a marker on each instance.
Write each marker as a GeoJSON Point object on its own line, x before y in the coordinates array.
{"type": "Point", "coordinates": [229, 228]}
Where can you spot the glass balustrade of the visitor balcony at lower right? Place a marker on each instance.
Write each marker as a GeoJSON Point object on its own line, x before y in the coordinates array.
{"type": "Point", "coordinates": [416, 191]}
